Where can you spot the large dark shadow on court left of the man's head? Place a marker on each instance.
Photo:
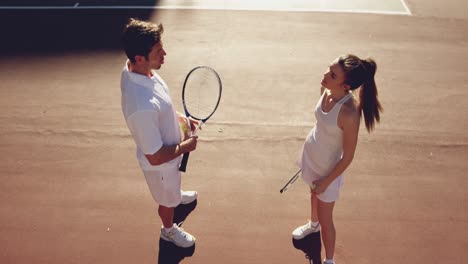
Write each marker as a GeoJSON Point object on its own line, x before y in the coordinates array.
{"type": "Point", "coordinates": [64, 30]}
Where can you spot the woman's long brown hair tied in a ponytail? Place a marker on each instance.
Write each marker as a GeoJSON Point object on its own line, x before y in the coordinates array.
{"type": "Point", "coordinates": [360, 73]}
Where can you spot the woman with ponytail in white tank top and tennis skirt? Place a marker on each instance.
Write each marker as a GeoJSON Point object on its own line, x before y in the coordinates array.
{"type": "Point", "coordinates": [329, 148]}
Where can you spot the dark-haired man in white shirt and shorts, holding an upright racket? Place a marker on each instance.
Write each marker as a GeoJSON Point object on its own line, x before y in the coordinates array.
{"type": "Point", "coordinates": [154, 124]}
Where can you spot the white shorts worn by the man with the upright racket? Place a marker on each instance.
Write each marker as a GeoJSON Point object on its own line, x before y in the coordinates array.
{"type": "Point", "coordinates": [165, 186]}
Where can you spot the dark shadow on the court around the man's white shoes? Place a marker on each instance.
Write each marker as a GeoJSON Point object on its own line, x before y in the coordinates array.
{"type": "Point", "coordinates": [169, 253]}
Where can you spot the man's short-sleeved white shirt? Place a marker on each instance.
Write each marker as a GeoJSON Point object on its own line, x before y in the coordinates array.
{"type": "Point", "coordinates": [150, 116]}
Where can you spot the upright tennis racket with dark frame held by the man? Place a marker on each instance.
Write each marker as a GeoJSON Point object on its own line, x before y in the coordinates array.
{"type": "Point", "coordinates": [200, 96]}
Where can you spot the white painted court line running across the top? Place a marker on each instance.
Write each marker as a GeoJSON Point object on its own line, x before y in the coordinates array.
{"type": "Point", "coordinates": [205, 7]}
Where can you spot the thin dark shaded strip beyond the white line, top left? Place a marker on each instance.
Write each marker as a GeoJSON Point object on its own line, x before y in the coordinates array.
{"type": "Point", "coordinates": [75, 3]}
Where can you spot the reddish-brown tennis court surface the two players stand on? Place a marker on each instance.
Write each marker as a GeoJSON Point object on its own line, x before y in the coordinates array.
{"type": "Point", "coordinates": [72, 190]}
